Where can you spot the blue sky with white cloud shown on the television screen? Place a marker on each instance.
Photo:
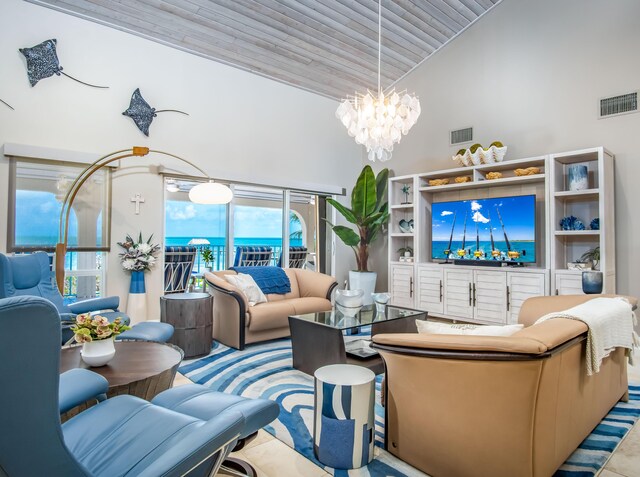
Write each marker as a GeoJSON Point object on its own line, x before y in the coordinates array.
{"type": "Point", "coordinates": [518, 215]}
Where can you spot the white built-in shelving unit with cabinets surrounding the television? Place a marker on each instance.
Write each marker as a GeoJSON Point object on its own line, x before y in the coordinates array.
{"type": "Point", "coordinates": [494, 295]}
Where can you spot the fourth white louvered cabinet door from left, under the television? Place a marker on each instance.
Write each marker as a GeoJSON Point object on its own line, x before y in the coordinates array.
{"type": "Point", "coordinates": [490, 296]}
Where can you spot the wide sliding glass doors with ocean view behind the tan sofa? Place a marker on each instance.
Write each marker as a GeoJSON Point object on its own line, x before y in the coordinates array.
{"type": "Point", "coordinates": [253, 218]}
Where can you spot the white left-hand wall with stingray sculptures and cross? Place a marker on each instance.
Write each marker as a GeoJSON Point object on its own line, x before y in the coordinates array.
{"type": "Point", "coordinates": [240, 126]}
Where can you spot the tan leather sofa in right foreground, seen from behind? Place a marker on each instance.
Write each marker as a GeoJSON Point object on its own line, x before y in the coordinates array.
{"type": "Point", "coordinates": [518, 406]}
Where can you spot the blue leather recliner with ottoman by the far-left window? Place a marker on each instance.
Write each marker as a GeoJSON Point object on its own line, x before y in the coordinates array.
{"type": "Point", "coordinates": [30, 275]}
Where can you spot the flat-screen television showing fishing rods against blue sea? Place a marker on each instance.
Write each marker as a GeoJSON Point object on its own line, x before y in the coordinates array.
{"type": "Point", "coordinates": [500, 228]}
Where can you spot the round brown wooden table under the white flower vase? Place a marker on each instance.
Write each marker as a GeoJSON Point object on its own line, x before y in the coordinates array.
{"type": "Point", "coordinates": [139, 368]}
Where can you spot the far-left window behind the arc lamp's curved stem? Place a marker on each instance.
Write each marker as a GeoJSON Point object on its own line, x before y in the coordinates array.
{"type": "Point", "coordinates": [37, 190]}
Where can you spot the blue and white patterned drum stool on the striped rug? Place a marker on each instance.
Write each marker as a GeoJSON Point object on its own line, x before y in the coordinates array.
{"type": "Point", "coordinates": [343, 417]}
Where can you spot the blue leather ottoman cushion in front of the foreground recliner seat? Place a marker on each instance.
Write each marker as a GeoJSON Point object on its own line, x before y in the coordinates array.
{"type": "Point", "coordinates": [203, 404]}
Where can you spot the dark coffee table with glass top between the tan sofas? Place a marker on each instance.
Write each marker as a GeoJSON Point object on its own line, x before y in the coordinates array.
{"type": "Point", "coordinates": [330, 337]}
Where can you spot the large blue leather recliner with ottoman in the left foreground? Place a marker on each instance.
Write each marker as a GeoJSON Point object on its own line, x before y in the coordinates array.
{"type": "Point", "coordinates": [187, 430]}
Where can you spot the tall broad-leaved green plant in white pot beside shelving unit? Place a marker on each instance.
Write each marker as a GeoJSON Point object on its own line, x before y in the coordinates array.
{"type": "Point", "coordinates": [368, 212]}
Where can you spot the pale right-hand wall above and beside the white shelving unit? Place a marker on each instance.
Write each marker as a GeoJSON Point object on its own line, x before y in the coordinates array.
{"type": "Point", "coordinates": [530, 74]}
